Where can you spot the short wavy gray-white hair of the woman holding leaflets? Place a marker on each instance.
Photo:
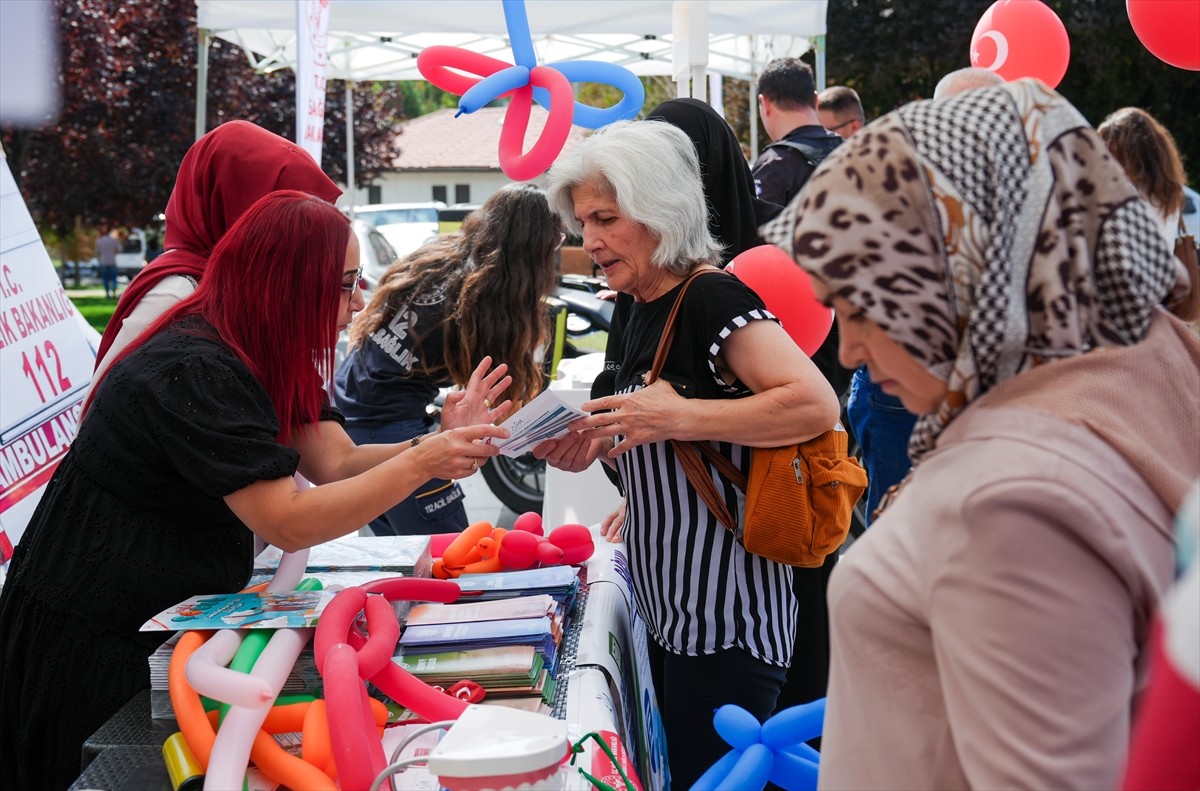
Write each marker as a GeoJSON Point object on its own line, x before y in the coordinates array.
{"type": "Point", "coordinates": [652, 171]}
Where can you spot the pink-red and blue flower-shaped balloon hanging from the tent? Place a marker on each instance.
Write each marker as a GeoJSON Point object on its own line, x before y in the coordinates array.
{"type": "Point", "coordinates": [526, 83]}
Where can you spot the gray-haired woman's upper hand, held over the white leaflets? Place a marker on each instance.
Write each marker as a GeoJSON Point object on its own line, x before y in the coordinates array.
{"type": "Point", "coordinates": [651, 415]}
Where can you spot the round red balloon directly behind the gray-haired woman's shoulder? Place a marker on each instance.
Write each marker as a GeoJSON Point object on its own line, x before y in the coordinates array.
{"type": "Point", "coordinates": [787, 291]}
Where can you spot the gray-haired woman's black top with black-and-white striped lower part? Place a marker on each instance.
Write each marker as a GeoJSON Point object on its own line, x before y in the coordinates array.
{"type": "Point", "coordinates": [698, 590]}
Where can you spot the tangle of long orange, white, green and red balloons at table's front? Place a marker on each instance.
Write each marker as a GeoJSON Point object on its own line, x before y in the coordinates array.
{"type": "Point", "coordinates": [245, 672]}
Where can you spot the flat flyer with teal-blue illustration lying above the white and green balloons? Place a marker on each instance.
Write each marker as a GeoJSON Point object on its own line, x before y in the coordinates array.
{"type": "Point", "coordinates": [262, 610]}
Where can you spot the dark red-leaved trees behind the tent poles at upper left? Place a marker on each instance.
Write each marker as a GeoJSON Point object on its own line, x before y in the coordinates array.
{"type": "Point", "coordinates": [128, 115]}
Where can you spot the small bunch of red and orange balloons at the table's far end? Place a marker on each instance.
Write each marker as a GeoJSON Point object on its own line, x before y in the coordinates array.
{"type": "Point", "coordinates": [484, 549]}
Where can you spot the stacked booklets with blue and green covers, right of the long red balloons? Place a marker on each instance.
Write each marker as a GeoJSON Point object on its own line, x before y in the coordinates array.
{"type": "Point", "coordinates": [507, 646]}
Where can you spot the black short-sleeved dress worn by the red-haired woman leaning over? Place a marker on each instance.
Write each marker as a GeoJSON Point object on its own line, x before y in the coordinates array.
{"type": "Point", "coordinates": [133, 523]}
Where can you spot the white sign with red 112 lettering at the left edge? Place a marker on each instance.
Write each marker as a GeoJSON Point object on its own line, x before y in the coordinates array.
{"type": "Point", "coordinates": [47, 355]}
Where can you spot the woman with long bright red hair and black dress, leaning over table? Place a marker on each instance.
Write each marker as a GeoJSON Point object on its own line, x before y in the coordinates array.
{"type": "Point", "coordinates": [188, 452]}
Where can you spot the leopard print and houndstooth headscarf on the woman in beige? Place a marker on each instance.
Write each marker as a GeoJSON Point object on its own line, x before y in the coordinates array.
{"type": "Point", "coordinates": [987, 233]}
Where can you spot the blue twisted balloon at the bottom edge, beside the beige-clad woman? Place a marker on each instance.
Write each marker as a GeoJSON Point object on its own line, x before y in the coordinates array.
{"type": "Point", "coordinates": [775, 752]}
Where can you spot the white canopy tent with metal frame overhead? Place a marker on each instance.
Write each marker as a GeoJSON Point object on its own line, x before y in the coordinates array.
{"type": "Point", "coordinates": [380, 40]}
